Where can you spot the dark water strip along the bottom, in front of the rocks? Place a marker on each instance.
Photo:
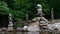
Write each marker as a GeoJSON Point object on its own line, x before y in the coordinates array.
{"type": "Point", "coordinates": [46, 32]}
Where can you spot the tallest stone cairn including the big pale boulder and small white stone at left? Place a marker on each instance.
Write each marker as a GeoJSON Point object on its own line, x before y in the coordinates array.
{"type": "Point", "coordinates": [36, 22]}
